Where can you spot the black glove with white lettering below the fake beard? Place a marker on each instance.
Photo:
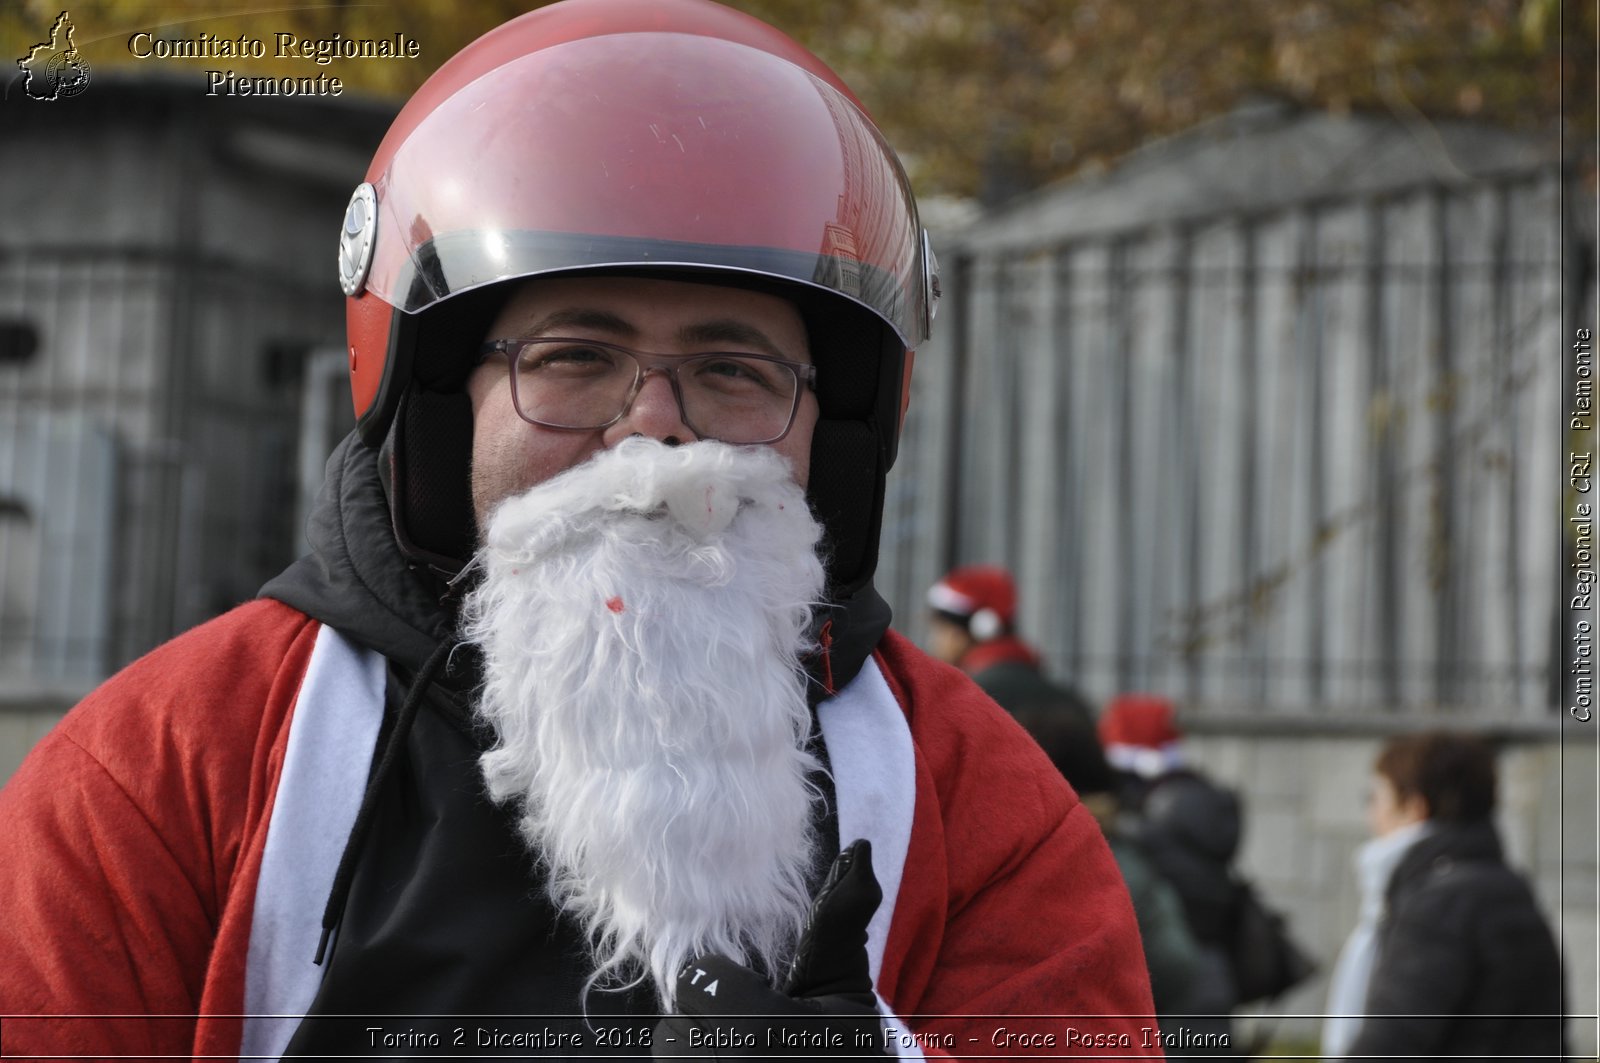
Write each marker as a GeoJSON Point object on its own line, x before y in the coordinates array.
{"type": "Point", "coordinates": [826, 1008]}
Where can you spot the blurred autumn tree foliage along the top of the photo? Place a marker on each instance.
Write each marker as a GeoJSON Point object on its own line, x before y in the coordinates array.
{"type": "Point", "coordinates": [990, 98]}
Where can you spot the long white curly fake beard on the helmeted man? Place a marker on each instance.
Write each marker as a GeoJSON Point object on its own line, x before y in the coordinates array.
{"type": "Point", "coordinates": [642, 620]}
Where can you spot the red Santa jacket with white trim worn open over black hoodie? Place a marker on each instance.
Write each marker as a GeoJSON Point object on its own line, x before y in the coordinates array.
{"type": "Point", "coordinates": [158, 838]}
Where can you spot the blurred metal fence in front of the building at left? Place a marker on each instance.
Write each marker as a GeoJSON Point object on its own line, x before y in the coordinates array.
{"type": "Point", "coordinates": [148, 465]}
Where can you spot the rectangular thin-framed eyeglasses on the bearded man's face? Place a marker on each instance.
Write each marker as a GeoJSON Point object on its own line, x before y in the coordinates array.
{"type": "Point", "coordinates": [586, 385]}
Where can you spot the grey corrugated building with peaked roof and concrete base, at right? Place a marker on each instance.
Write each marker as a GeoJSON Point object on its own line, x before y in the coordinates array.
{"type": "Point", "coordinates": [1270, 419]}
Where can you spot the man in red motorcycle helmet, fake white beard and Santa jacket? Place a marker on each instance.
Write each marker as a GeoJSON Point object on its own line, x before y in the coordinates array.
{"type": "Point", "coordinates": [583, 713]}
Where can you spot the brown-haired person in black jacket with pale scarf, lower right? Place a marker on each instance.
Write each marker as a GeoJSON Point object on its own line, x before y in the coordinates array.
{"type": "Point", "coordinates": [1450, 955]}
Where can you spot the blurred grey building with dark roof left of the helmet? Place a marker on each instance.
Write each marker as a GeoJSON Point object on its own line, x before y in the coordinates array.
{"type": "Point", "coordinates": [167, 284]}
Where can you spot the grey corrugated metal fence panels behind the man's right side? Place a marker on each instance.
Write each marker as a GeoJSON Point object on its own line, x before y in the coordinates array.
{"type": "Point", "coordinates": [1302, 459]}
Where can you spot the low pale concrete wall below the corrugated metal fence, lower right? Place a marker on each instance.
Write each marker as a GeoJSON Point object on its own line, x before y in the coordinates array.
{"type": "Point", "coordinates": [1305, 804]}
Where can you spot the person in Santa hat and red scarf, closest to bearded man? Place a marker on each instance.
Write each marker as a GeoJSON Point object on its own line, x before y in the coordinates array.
{"type": "Point", "coordinates": [974, 627]}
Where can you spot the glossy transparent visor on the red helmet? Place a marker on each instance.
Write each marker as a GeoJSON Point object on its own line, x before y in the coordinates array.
{"type": "Point", "coordinates": [660, 151]}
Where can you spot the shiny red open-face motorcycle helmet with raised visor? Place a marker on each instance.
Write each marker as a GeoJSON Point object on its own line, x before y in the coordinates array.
{"type": "Point", "coordinates": [673, 137]}
